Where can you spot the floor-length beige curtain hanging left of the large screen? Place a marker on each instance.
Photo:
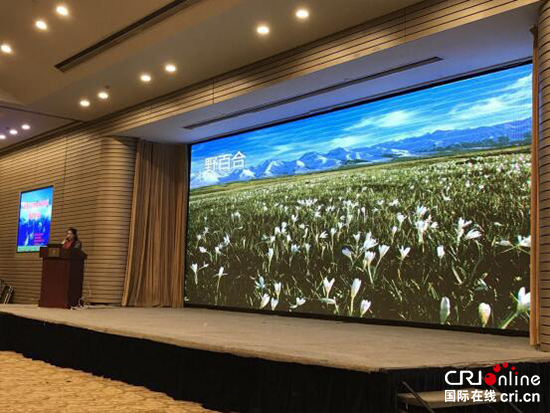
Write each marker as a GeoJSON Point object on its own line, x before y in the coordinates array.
{"type": "Point", "coordinates": [154, 271]}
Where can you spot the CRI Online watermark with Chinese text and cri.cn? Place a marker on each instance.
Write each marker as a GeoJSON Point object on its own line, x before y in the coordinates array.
{"type": "Point", "coordinates": [506, 375]}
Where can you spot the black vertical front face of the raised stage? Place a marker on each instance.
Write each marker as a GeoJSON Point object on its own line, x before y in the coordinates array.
{"type": "Point", "coordinates": [226, 382]}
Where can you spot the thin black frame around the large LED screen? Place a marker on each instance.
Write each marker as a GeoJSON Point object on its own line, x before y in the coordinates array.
{"type": "Point", "coordinates": [343, 318]}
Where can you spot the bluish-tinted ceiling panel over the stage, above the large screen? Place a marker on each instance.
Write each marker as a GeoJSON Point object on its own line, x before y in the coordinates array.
{"type": "Point", "coordinates": [484, 44]}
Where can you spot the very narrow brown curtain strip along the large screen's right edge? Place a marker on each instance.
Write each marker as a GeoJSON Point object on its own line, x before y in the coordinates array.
{"type": "Point", "coordinates": [534, 322]}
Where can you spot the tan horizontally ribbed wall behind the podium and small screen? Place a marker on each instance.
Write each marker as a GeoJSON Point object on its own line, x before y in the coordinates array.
{"type": "Point", "coordinates": [92, 178]}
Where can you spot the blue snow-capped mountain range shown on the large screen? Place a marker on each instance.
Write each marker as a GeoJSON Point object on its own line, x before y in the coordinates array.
{"type": "Point", "coordinates": [430, 144]}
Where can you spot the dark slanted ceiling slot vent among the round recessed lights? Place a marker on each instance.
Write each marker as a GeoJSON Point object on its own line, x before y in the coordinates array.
{"type": "Point", "coordinates": [125, 33]}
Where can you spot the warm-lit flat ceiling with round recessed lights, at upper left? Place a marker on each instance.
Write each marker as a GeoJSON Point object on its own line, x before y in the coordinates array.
{"type": "Point", "coordinates": [205, 39]}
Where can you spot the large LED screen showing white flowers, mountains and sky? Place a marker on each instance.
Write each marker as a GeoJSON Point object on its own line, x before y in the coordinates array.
{"type": "Point", "coordinates": [411, 208]}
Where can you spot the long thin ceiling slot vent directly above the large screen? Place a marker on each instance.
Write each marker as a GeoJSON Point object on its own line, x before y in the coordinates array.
{"type": "Point", "coordinates": [317, 92]}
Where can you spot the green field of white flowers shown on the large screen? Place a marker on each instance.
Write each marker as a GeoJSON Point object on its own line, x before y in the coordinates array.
{"type": "Point", "coordinates": [441, 240]}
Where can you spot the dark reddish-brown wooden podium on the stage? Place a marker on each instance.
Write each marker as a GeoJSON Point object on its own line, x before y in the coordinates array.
{"type": "Point", "coordinates": [62, 274]}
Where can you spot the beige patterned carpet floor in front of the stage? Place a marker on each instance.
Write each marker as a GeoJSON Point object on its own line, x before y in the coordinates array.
{"type": "Point", "coordinates": [31, 386]}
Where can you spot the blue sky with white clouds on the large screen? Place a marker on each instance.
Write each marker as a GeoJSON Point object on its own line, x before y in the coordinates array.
{"type": "Point", "coordinates": [486, 100]}
